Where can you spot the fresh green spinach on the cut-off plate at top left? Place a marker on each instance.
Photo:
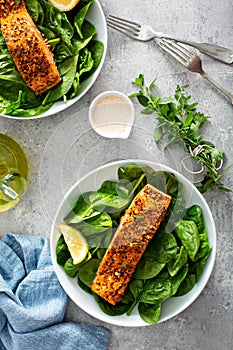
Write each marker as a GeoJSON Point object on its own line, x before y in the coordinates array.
{"type": "Point", "coordinates": [76, 52]}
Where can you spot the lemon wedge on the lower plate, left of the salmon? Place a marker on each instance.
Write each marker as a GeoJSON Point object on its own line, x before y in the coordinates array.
{"type": "Point", "coordinates": [76, 243]}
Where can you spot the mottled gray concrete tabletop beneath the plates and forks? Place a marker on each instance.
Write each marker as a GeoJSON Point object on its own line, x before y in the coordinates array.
{"type": "Point", "coordinates": [63, 147]}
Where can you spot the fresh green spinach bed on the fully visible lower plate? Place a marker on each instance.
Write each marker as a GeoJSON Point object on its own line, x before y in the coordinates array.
{"type": "Point", "coordinates": [174, 259]}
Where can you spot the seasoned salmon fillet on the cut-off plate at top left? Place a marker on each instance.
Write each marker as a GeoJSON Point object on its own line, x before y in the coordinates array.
{"type": "Point", "coordinates": [31, 55]}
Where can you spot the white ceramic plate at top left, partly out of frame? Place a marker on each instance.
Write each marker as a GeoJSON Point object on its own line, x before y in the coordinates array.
{"type": "Point", "coordinates": [96, 16]}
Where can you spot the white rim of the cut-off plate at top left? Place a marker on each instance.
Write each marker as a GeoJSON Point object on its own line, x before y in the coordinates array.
{"type": "Point", "coordinates": [60, 106]}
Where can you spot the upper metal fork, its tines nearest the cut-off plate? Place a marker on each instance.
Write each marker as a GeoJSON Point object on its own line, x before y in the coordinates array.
{"type": "Point", "coordinates": [144, 32]}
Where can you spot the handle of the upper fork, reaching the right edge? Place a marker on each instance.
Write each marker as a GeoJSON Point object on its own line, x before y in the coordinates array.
{"type": "Point", "coordinates": [220, 53]}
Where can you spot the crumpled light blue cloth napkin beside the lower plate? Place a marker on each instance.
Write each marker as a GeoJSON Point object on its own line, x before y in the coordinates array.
{"type": "Point", "coordinates": [33, 303]}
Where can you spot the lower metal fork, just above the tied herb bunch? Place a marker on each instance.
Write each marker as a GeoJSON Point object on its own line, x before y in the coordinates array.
{"type": "Point", "coordinates": [190, 60]}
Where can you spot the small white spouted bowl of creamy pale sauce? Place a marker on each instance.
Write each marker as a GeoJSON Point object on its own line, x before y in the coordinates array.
{"type": "Point", "coordinates": [111, 115]}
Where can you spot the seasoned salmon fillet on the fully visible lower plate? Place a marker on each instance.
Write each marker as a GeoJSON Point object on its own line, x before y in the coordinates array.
{"type": "Point", "coordinates": [137, 227]}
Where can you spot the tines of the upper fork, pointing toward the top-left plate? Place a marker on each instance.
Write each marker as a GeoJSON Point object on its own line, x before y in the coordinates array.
{"type": "Point", "coordinates": [124, 26]}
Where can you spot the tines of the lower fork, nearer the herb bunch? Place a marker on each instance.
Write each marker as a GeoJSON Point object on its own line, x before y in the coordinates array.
{"type": "Point", "coordinates": [177, 50]}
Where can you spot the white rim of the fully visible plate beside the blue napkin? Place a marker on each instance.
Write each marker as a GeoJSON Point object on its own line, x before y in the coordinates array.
{"type": "Point", "coordinates": [134, 319]}
